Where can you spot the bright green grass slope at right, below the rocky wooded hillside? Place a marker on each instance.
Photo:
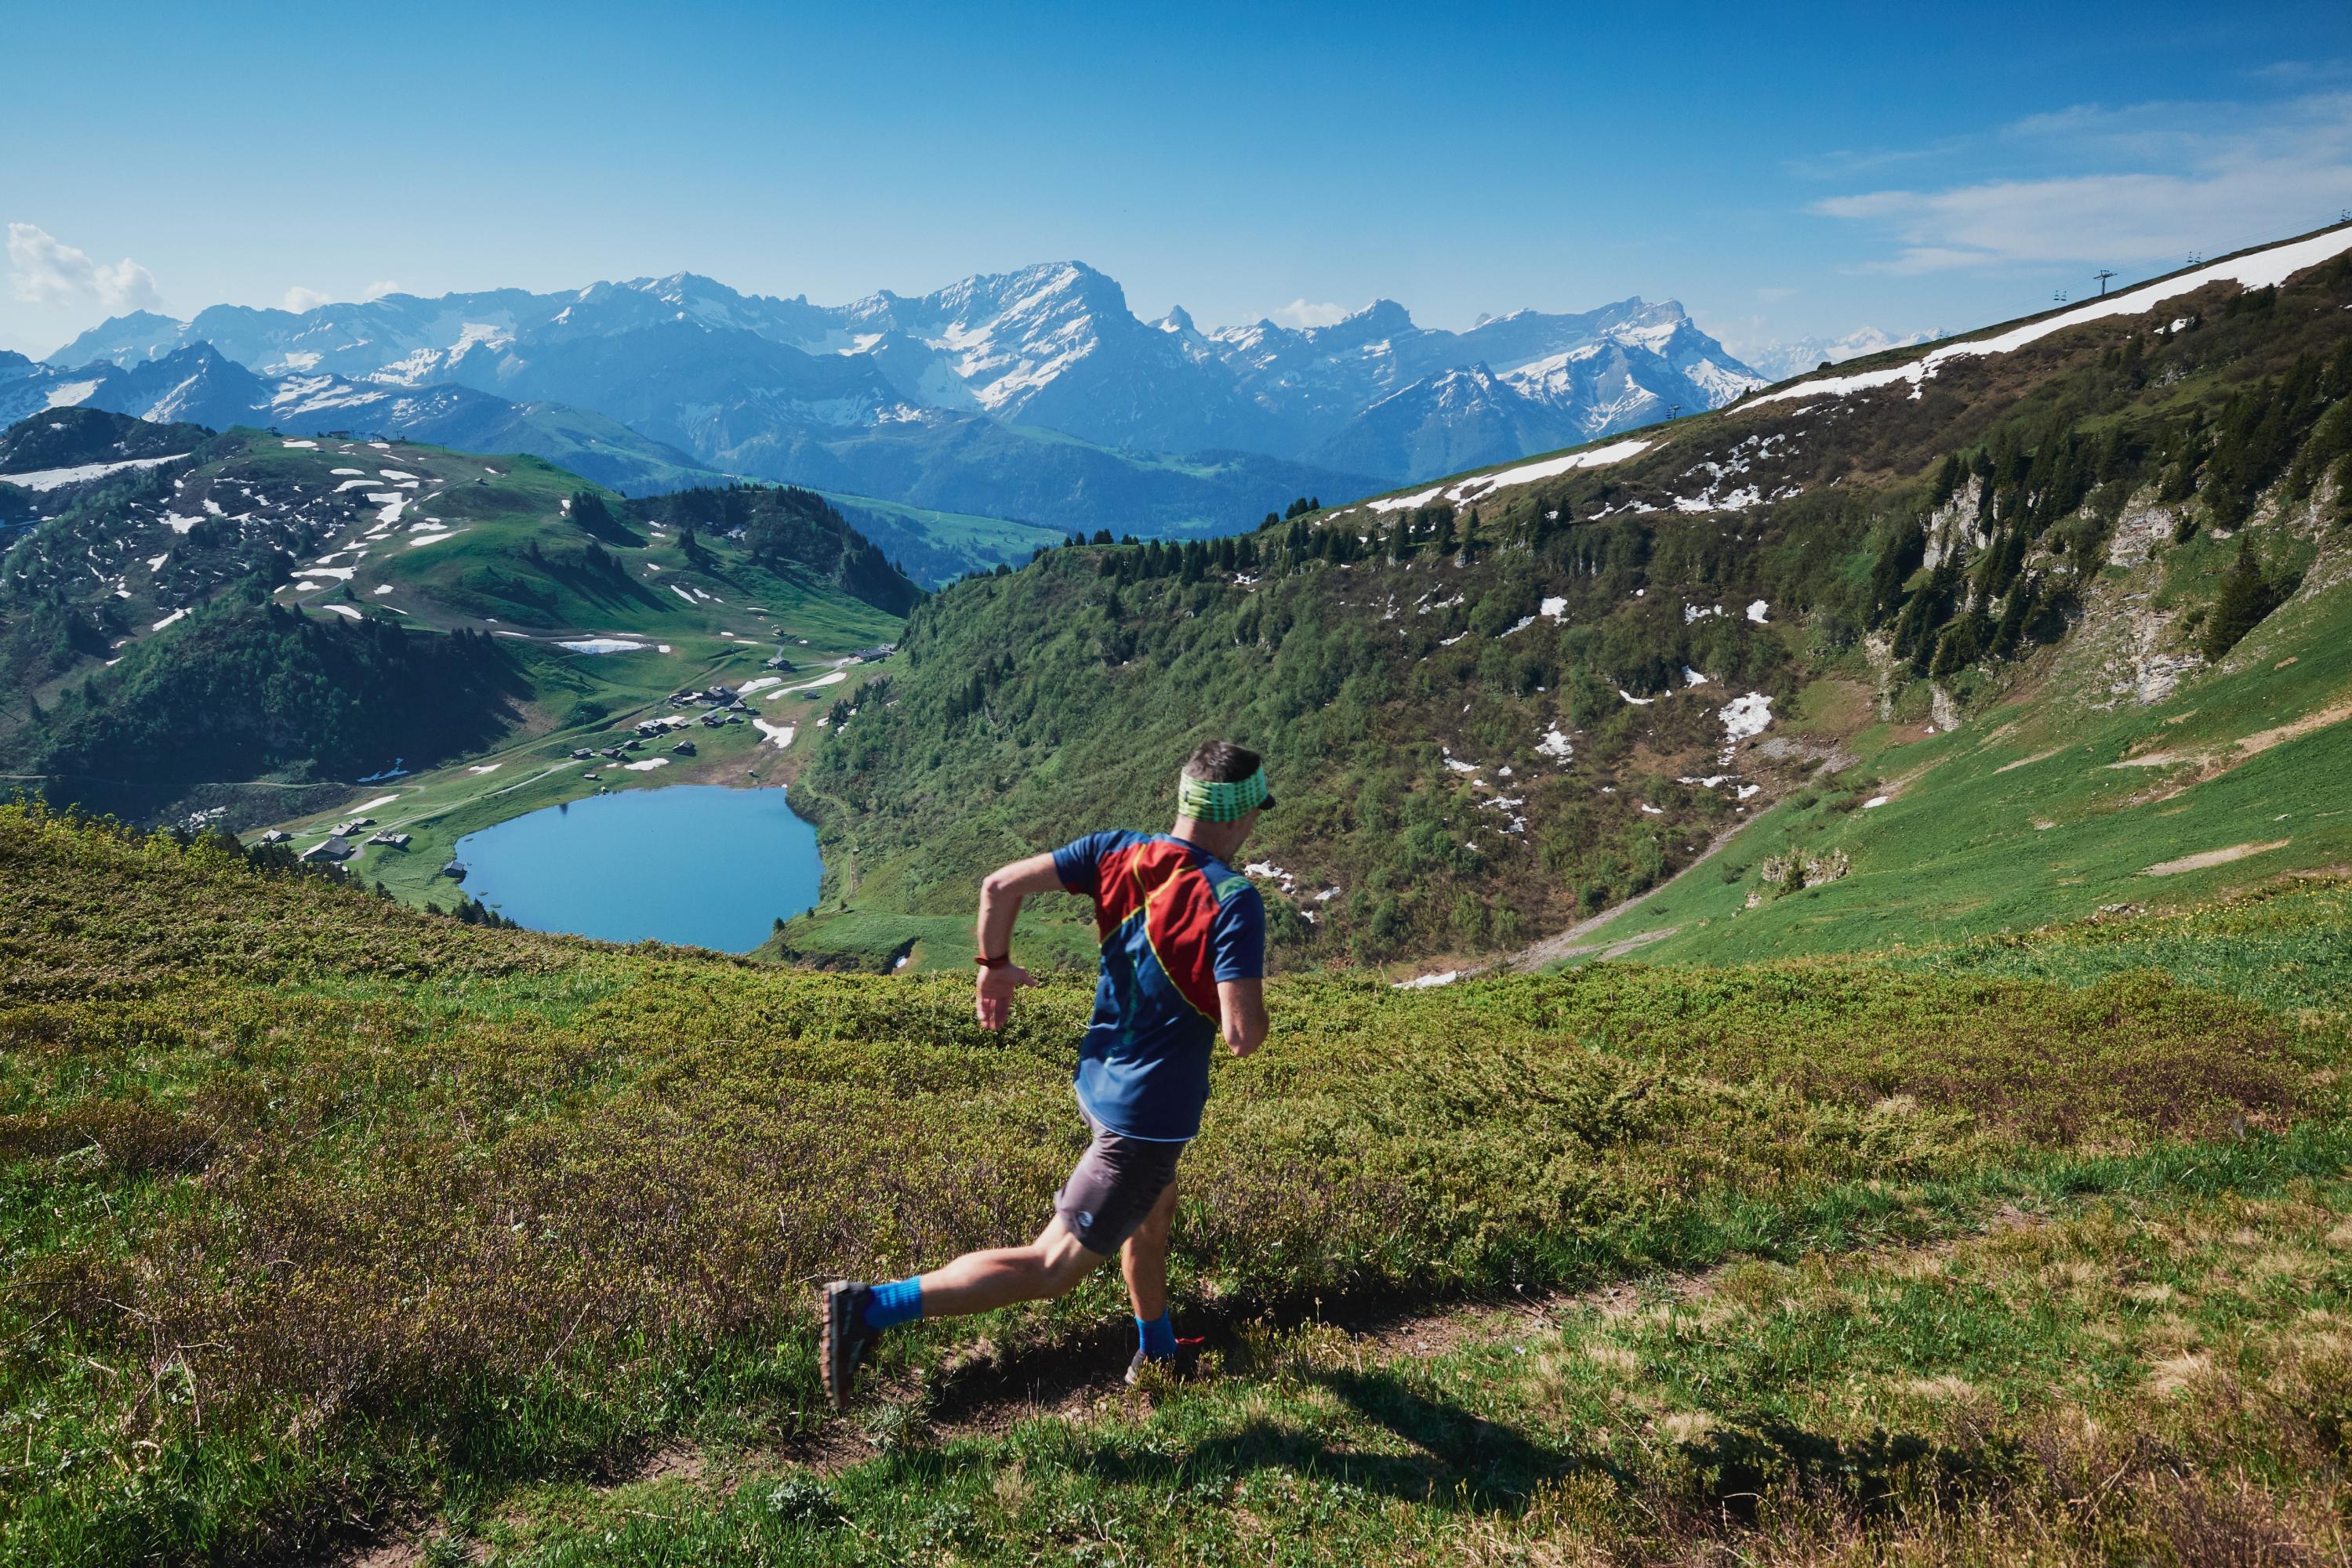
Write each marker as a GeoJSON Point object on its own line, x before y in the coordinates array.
{"type": "Point", "coordinates": [2045, 810]}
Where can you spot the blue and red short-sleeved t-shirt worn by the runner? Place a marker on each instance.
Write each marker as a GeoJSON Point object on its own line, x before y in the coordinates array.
{"type": "Point", "coordinates": [1175, 920]}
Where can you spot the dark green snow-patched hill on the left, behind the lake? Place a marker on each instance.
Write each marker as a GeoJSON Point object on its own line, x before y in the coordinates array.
{"type": "Point", "coordinates": [279, 619]}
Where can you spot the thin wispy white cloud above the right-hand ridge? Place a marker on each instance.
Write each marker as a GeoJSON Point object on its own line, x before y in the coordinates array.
{"type": "Point", "coordinates": [2207, 180]}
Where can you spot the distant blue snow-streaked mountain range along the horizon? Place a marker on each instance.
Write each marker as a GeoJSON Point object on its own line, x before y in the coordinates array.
{"type": "Point", "coordinates": [1031, 394]}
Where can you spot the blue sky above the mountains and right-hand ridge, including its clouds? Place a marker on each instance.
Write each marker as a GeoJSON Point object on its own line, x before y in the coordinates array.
{"type": "Point", "coordinates": [1782, 170]}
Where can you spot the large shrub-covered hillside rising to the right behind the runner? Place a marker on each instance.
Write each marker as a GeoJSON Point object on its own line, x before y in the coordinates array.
{"type": "Point", "coordinates": [1530, 695]}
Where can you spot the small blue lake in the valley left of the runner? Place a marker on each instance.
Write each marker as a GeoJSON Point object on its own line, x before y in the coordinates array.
{"type": "Point", "coordinates": [693, 864]}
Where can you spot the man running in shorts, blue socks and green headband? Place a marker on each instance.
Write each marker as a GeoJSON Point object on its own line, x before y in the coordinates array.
{"type": "Point", "coordinates": [1184, 956]}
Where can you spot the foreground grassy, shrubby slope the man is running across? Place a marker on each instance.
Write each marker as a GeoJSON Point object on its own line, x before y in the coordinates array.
{"type": "Point", "coordinates": [335, 1224]}
